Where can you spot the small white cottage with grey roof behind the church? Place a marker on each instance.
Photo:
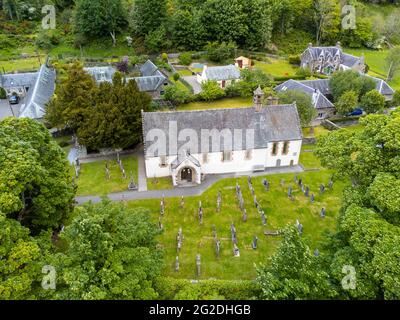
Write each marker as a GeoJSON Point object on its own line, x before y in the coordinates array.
{"type": "Point", "coordinates": [224, 75]}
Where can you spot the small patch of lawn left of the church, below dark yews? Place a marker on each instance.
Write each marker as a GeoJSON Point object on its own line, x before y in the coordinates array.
{"type": "Point", "coordinates": [92, 179]}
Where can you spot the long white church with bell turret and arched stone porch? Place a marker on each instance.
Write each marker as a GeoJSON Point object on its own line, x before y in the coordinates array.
{"type": "Point", "coordinates": [188, 145]}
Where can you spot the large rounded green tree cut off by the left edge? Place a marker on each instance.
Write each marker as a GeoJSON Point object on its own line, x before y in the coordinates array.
{"type": "Point", "coordinates": [35, 185]}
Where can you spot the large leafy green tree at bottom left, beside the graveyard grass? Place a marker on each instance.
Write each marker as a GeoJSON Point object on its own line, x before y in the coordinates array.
{"type": "Point", "coordinates": [111, 254]}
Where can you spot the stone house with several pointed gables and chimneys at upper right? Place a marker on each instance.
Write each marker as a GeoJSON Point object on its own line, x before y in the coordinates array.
{"type": "Point", "coordinates": [326, 60]}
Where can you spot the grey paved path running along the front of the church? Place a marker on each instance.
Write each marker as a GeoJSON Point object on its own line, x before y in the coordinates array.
{"type": "Point", "coordinates": [186, 192]}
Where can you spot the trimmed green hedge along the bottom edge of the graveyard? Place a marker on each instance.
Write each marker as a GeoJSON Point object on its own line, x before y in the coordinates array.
{"type": "Point", "coordinates": [170, 289]}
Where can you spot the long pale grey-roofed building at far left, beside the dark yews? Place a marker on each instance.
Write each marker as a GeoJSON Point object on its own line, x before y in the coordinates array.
{"type": "Point", "coordinates": [39, 94]}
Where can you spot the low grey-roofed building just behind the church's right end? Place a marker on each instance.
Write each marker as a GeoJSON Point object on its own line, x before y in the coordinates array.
{"type": "Point", "coordinates": [318, 90]}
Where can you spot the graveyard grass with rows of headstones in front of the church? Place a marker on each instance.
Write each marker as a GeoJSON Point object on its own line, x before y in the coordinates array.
{"type": "Point", "coordinates": [279, 209]}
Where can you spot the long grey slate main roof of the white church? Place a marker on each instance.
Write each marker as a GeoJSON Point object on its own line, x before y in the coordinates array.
{"type": "Point", "coordinates": [271, 124]}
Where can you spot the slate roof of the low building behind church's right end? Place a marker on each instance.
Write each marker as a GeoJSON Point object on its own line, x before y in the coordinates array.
{"type": "Point", "coordinates": [316, 89]}
